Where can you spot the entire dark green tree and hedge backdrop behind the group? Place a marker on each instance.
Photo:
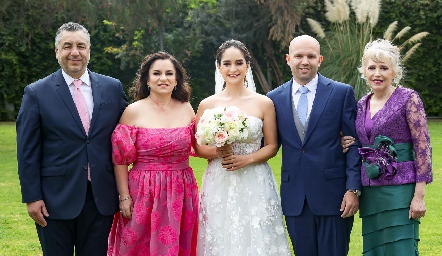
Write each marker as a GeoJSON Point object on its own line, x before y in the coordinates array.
{"type": "Point", "coordinates": [192, 31]}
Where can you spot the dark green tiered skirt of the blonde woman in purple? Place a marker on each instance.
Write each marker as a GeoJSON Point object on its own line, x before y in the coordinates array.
{"type": "Point", "coordinates": [386, 228]}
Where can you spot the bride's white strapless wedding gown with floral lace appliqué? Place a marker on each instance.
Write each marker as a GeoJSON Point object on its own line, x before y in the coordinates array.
{"type": "Point", "coordinates": [240, 211]}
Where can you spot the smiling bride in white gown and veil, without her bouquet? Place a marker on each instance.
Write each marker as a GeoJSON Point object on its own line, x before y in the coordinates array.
{"type": "Point", "coordinates": [240, 211]}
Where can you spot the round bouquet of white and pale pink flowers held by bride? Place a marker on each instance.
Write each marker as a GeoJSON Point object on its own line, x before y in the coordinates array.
{"type": "Point", "coordinates": [219, 126]}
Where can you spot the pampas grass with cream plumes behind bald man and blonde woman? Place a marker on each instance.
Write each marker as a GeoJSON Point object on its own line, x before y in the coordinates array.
{"type": "Point", "coordinates": [351, 28]}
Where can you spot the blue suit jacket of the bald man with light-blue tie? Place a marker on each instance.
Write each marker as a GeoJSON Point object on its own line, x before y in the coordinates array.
{"type": "Point", "coordinates": [317, 169]}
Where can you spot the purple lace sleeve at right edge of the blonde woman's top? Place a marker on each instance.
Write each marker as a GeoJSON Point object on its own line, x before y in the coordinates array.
{"type": "Point", "coordinates": [417, 123]}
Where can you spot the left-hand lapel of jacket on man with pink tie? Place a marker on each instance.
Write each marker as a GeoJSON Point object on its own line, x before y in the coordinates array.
{"type": "Point", "coordinates": [63, 90]}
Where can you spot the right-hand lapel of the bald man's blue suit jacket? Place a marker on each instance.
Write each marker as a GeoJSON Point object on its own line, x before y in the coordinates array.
{"type": "Point", "coordinates": [322, 95]}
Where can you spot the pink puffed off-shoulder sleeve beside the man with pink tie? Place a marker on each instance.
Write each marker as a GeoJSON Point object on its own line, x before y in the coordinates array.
{"type": "Point", "coordinates": [123, 145]}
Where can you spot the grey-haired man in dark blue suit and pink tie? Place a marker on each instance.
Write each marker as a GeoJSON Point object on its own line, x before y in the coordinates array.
{"type": "Point", "coordinates": [65, 160]}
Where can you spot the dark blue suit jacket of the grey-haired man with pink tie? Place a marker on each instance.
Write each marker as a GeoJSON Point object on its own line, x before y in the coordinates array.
{"type": "Point", "coordinates": [53, 150]}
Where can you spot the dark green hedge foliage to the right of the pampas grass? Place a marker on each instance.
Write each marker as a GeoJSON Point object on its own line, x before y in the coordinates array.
{"type": "Point", "coordinates": [424, 66]}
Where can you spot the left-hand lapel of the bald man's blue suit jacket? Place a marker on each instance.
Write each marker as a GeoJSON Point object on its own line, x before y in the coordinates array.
{"type": "Point", "coordinates": [286, 102]}
